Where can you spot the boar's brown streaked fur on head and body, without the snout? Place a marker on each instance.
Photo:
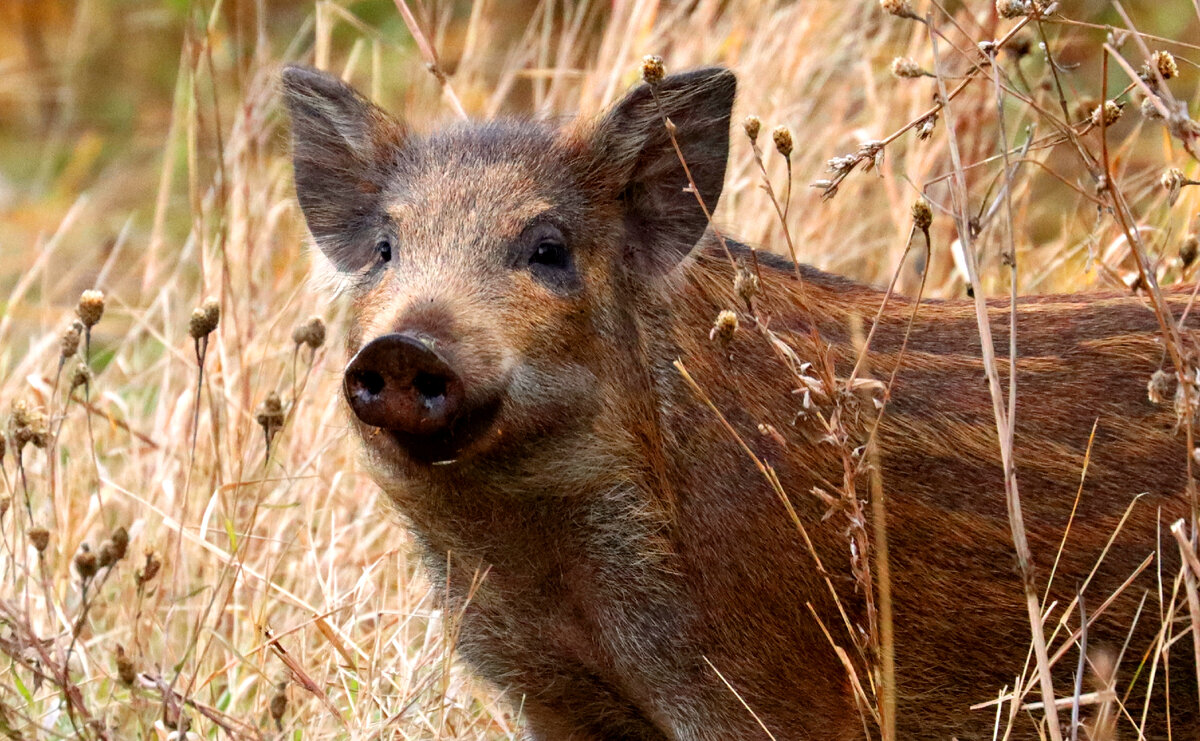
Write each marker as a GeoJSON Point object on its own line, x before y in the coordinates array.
{"type": "Point", "coordinates": [627, 546]}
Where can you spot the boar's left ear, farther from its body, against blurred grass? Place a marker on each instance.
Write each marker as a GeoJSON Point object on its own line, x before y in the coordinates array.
{"type": "Point", "coordinates": [344, 149]}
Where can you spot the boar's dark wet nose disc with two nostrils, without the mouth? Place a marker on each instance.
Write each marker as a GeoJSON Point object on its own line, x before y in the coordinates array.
{"type": "Point", "coordinates": [403, 384]}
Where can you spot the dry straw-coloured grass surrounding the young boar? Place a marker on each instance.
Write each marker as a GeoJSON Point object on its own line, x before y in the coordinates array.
{"type": "Point", "coordinates": [280, 579]}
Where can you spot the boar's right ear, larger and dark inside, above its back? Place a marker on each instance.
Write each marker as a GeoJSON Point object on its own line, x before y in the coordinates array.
{"type": "Point", "coordinates": [635, 159]}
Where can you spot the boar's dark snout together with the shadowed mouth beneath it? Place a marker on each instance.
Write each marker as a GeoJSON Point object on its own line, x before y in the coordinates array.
{"type": "Point", "coordinates": [403, 384]}
